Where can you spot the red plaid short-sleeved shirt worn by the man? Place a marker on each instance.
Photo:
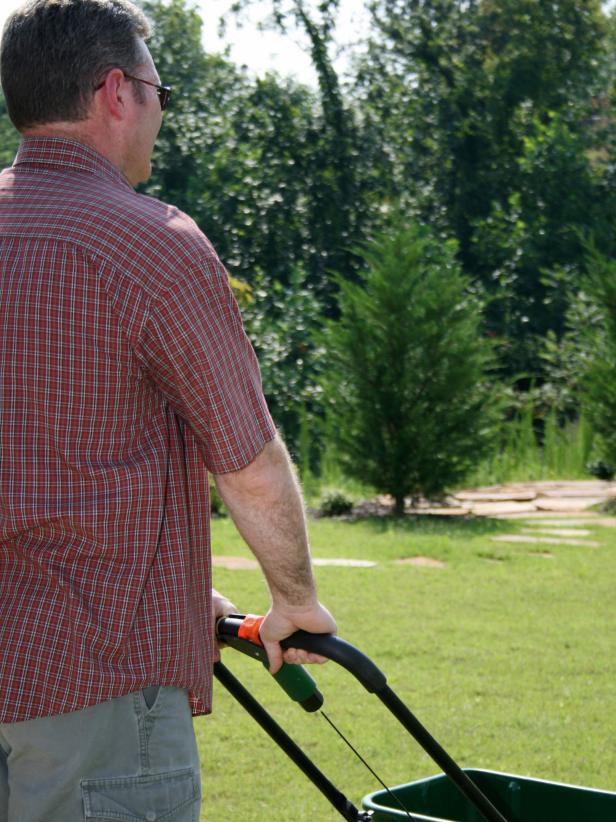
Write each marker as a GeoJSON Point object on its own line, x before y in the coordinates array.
{"type": "Point", "coordinates": [124, 372]}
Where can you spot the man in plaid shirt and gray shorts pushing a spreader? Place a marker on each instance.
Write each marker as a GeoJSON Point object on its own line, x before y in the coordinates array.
{"type": "Point", "coordinates": [124, 372]}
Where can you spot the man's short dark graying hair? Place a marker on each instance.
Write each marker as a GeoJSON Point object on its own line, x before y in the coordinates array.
{"type": "Point", "coordinates": [55, 52]}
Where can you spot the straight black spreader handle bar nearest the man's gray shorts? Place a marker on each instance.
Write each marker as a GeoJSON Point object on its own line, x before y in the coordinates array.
{"type": "Point", "coordinates": [293, 751]}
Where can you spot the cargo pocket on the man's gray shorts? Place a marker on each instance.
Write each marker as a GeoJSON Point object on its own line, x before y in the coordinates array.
{"type": "Point", "coordinates": [165, 797]}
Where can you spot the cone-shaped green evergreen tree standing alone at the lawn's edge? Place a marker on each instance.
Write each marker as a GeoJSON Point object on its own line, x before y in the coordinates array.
{"type": "Point", "coordinates": [408, 379]}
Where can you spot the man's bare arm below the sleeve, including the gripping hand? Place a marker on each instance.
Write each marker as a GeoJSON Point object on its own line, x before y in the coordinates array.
{"type": "Point", "coordinates": [266, 505]}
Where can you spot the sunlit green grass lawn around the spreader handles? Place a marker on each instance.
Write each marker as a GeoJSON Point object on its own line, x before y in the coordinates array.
{"type": "Point", "coordinates": [507, 656]}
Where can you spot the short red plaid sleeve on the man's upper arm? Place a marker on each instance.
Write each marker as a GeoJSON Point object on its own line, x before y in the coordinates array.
{"type": "Point", "coordinates": [194, 347]}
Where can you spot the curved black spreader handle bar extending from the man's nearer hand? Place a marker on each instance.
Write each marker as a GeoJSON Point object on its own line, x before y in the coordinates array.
{"type": "Point", "coordinates": [374, 680]}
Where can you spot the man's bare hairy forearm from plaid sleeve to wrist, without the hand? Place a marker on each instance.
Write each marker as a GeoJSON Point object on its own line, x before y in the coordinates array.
{"type": "Point", "coordinates": [265, 502]}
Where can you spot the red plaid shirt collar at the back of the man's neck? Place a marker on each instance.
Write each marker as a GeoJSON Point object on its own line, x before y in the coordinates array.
{"type": "Point", "coordinates": [60, 152]}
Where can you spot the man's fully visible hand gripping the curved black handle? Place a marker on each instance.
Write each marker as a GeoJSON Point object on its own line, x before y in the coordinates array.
{"type": "Point", "coordinates": [280, 622]}
